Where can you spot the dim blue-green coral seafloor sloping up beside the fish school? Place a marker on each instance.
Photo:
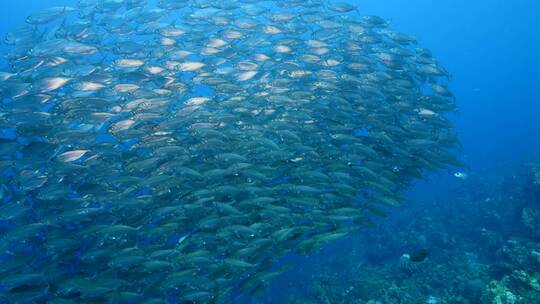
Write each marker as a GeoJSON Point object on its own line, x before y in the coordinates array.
{"type": "Point", "coordinates": [483, 239]}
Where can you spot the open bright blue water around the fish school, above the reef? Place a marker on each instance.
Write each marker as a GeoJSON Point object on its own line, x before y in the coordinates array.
{"type": "Point", "coordinates": [490, 47]}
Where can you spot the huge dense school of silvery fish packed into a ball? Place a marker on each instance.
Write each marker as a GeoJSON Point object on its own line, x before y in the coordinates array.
{"type": "Point", "coordinates": [174, 151]}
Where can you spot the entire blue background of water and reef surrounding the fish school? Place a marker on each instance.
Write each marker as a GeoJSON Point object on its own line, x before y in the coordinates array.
{"type": "Point", "coordinates": [480, 233]}
